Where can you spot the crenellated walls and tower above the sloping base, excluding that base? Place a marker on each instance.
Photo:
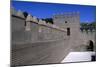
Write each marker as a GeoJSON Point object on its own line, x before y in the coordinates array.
{"type": "Point", "coordinates": [31, 29]}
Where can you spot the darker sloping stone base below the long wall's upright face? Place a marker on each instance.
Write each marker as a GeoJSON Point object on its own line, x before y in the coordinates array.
{"type": "Point", "coordinates": [40, 53]}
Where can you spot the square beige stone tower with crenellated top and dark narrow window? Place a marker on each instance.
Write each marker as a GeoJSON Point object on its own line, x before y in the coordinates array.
{"type": "Point", "coordinates": [70, 22]}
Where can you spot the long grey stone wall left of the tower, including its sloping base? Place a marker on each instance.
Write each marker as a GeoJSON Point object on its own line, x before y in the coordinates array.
{"type": "Point", "coordinates": [44, 43]}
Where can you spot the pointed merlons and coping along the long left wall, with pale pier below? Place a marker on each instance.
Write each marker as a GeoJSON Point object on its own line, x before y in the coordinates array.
{"type": "Point", "coordinates": [32, 19]}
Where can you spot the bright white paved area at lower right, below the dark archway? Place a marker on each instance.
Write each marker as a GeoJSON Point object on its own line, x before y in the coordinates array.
{"type": "Point", "coordinates": [78, 57]}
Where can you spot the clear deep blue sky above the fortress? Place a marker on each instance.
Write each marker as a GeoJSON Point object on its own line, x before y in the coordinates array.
{"type": "Point", "coordinates": [46, 10]}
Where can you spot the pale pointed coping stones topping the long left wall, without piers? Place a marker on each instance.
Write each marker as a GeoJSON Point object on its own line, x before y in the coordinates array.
{"type": "Point", "coordinates": [33, 19]}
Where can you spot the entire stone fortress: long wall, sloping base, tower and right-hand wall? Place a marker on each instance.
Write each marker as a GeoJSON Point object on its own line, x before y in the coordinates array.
{"type": "Point", "coordinates": [35, 42]}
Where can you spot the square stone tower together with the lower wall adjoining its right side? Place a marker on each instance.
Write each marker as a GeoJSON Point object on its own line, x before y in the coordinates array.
{"type": "Point", "coordinates": [77, 37]}
